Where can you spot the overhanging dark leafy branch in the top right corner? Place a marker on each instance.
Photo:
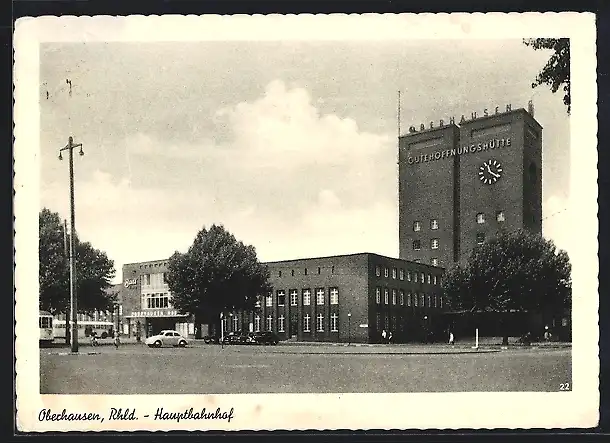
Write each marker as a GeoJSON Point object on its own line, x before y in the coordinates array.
{"type": "Point", "coordinates": [556, 72]}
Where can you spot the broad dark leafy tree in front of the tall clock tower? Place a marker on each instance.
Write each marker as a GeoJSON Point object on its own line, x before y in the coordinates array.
{"type": "Point", "coordinates": [516, 271]}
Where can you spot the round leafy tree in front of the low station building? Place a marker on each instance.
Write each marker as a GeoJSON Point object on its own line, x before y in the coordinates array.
{"type": "Point", "coordinates": [217, 274]}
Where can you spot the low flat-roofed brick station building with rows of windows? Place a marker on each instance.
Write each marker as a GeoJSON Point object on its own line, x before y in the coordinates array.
{"type": "Point", "coordinates": [343, 298]}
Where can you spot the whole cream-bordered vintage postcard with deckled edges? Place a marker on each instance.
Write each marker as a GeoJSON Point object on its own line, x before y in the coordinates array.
{"type": "Point", "coordinates": [306, 222]}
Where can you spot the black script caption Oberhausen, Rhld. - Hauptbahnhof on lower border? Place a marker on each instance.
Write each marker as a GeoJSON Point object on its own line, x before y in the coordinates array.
{"type": "Point", "coordinates": [127, 414]}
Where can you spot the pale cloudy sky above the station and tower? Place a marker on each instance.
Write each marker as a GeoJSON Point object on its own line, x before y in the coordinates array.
{"type": "Point", "coordinates": [290, 145]}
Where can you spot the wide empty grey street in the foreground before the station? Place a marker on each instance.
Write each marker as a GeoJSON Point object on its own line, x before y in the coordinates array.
{"type": "Point", "coordinates": [210, 369]}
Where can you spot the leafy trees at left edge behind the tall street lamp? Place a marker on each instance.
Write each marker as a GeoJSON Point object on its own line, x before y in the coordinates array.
{"type": "Point", "coordinates": [94, 271]}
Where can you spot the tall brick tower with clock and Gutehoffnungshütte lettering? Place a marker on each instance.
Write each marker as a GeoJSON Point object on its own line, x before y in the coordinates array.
{"type": "Point", "coordinates": [461, 184]}
